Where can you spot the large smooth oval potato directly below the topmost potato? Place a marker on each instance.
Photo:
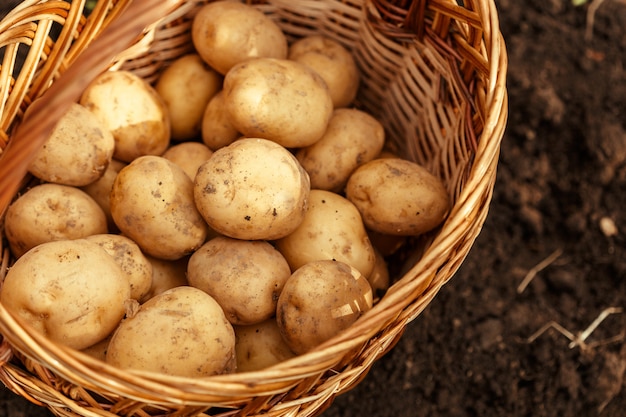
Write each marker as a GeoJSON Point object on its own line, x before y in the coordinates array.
{"type": "Point", "coordinates": [277, 99]}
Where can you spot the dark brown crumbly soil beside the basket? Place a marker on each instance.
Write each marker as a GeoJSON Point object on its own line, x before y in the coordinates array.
{"type": "Point", "coordinates": [561, 190]}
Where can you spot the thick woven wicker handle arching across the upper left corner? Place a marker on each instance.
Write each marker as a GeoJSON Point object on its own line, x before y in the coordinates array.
{"type": "Point", "coordinates": [43, 114]}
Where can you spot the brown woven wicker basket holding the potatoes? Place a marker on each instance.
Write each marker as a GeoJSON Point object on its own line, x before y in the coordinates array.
{"type": "Point", "coordinates": [433, 72]}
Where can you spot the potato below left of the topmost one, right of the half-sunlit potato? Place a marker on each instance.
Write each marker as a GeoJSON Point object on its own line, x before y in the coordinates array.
{"type": "Point", "coordinates": [186, 87]}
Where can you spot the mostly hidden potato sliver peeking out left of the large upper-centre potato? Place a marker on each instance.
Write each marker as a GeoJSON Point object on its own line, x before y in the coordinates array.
{"type": "Point", "coordinates": [217, 130]}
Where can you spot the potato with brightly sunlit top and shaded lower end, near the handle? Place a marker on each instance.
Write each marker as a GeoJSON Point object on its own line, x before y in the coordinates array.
{"type": "Point", "coordinates": [132, 110]}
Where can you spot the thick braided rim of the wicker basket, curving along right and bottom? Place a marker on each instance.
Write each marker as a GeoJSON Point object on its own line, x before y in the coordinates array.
{"type": "Point", "coordinates": [469, 206]}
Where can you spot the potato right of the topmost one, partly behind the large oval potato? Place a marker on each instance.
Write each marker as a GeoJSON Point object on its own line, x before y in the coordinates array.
{"type": "Point", "coordinates": [333, 62]}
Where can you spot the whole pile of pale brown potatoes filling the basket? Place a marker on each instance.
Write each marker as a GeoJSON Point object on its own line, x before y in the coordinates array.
{"type": "Point", "coordinates": [220, 220]}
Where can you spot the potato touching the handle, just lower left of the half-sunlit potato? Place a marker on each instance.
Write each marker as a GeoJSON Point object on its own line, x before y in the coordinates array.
{"type": "Point", "coordinates": [77, 152]}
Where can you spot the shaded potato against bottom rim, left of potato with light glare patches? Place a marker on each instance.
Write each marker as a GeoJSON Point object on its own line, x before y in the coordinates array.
{"type": "Point", "coordinates": [260, 345]}
